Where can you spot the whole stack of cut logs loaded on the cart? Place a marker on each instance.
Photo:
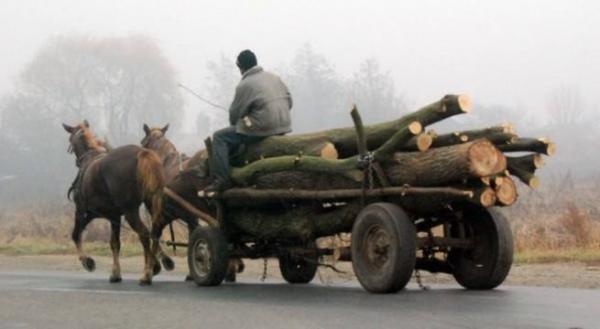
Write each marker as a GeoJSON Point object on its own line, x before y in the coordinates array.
{"type": "Point", "coordinates": [322, 175]}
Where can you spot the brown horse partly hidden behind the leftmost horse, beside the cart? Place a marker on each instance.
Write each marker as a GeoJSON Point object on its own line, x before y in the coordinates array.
{"type": "Point", "coordinates": [185, 176]}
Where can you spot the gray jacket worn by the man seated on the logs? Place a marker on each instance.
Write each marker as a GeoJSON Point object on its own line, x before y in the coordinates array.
{"type": "Point", "coordinates": [262, 104]}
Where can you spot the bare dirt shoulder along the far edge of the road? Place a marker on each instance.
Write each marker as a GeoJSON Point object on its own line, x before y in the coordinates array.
{"type": "Point", "coordinates": [572, 274]}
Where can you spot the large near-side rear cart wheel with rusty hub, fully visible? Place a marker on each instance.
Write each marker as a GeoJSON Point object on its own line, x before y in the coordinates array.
{"type": "Point", "coordinates": [383, 248]}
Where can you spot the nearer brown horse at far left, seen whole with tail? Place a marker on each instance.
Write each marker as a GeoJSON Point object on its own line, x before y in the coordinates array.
{"type": "Point", "coordinates": [113, 184]}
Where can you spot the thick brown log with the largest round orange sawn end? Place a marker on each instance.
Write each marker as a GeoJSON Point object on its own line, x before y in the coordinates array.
{"type": "Point", "coordinates": [444, 165]}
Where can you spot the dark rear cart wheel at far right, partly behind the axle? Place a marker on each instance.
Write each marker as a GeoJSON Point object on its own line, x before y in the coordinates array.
{"type": "Point", "coordinates": [487, 264]}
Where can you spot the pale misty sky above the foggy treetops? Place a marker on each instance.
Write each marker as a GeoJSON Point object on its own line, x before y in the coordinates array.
{"type": "Point", "coordinates": [502, 52]}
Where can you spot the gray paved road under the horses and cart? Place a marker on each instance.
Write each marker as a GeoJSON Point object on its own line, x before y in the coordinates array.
{"type": "Point", "coordinates": [81, 300]}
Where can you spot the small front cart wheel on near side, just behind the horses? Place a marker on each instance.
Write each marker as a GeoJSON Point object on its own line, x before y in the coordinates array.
{"type": "Point", "coordinates": [208, 256]}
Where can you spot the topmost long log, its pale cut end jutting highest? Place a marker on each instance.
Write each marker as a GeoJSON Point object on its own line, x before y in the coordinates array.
{"type": "Point", "coordinates": [344, 139]}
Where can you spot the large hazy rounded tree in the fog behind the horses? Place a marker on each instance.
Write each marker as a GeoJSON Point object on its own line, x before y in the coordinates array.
{"type": "Point", "coordinates": [116, 83]}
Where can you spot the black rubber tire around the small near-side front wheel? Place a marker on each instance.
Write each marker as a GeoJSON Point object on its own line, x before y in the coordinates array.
{"type": "Point", "coordinates": [219, 260]}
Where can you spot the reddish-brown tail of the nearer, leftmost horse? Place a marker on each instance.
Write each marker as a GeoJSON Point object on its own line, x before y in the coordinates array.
{"type": "Point", "coordinates": [151, 178]}
